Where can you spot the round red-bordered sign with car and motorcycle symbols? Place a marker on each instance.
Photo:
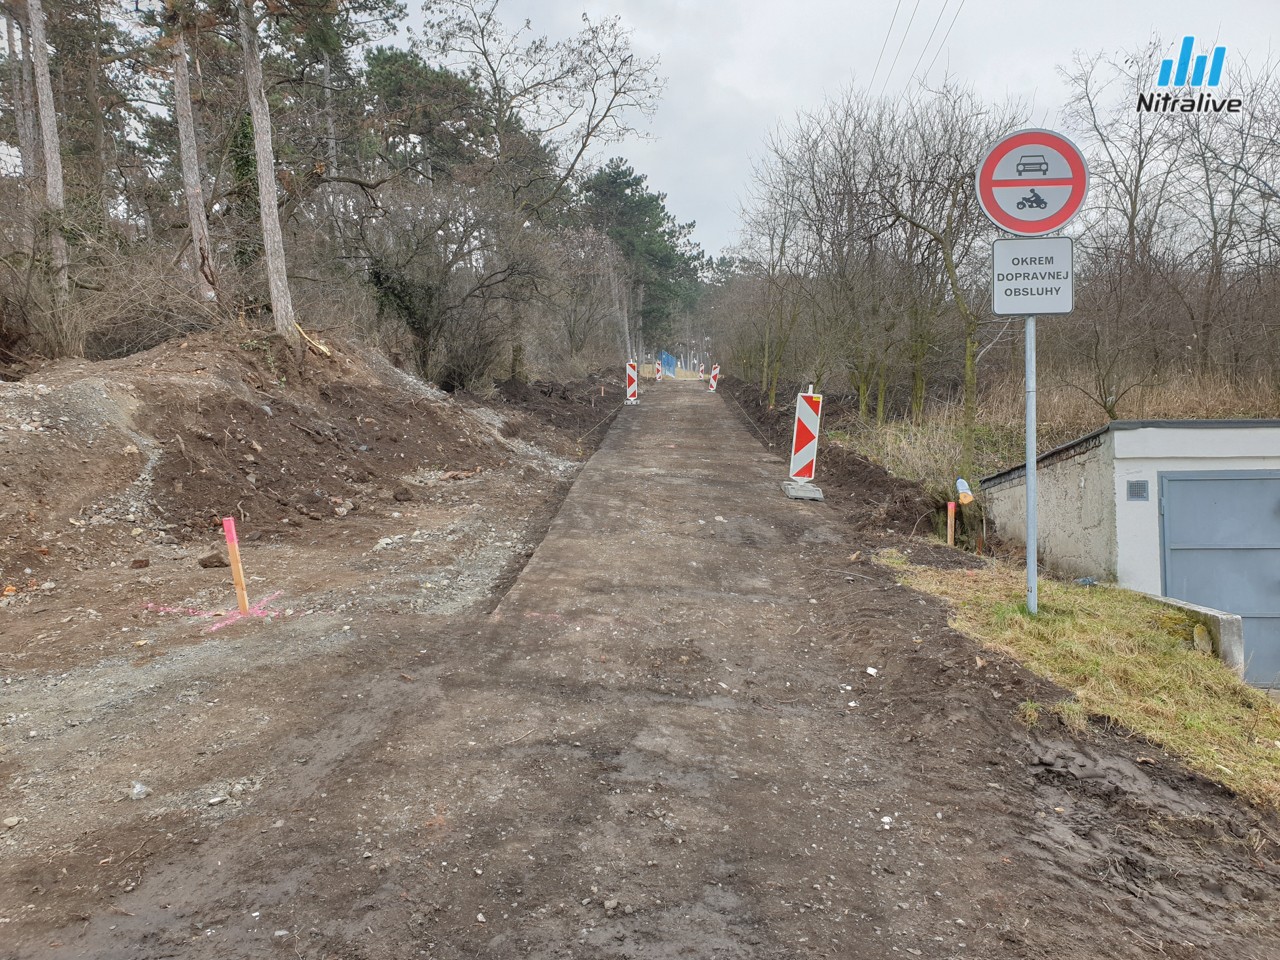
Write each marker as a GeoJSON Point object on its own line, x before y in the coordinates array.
{"type": "Point", "coordinates": [1032, 182]}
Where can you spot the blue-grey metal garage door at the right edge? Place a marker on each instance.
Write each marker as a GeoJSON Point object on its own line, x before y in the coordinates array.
{"type": "Point", "coordinates": [1220, 534]}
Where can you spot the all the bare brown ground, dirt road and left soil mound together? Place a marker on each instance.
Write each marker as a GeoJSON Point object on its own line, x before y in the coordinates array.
{"type": "Point", "coordinates": [502, 696]}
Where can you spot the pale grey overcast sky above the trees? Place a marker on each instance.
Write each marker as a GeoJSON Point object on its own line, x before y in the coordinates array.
{"type": "Point", "coordinates": [735, 71]}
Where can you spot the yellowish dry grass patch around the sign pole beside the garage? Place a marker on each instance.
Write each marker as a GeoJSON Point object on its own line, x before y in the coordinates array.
{"type": "Point", "coordinates": [1127, 661]}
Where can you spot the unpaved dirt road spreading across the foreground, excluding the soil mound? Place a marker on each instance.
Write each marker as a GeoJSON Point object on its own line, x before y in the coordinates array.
{"type": "Point", "coordinates": [694, 726]}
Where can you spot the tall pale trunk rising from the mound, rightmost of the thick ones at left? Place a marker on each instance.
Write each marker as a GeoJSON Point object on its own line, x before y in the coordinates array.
{"type": "Point", "coordinates": [273, 241]}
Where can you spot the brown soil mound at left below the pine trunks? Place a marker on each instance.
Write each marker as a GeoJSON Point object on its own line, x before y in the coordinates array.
{"type": "Point", "coordinates": [157, 449]}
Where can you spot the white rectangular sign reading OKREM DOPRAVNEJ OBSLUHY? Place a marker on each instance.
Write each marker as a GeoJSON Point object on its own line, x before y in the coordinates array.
{"type": "Point", "coordinates": [1031, 277]}
